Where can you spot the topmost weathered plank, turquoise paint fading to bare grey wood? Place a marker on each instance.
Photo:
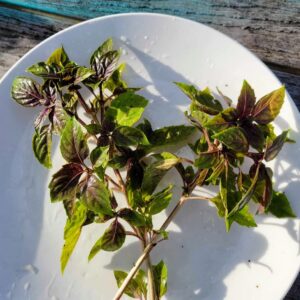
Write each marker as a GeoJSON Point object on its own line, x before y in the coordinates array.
{"type": "Point", "coordinates": [271, 29]}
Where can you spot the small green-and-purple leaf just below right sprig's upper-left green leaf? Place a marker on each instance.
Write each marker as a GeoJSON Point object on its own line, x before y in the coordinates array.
{"type": "Point", "coordinates": [222, 121]}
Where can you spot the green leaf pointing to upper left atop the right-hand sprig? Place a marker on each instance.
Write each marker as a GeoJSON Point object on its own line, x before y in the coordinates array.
{"type": "Point", "coordinates": [203, 99]}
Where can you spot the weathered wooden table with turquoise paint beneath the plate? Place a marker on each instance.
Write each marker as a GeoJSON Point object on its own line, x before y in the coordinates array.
{"type": "Point", "coordinates": [269, 28]}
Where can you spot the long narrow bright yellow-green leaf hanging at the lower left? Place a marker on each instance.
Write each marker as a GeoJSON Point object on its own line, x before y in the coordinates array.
{"type": "Point", "coordinates": [72, 232]}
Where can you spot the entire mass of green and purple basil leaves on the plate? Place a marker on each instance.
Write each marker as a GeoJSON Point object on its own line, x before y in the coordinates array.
{"type": "Point", "coordinates": [104, 133]}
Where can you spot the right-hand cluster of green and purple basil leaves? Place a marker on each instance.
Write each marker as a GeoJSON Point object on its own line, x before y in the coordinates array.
{"type": "Point", "coordinates": [229, 136]}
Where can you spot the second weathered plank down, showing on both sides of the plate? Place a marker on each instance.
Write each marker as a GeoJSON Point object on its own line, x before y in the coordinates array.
{"type": "Point", "coordinates": [21, 31]}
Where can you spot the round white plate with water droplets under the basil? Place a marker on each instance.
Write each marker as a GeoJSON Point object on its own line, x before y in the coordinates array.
{"type": "Point", "coordinates": [204, 262]}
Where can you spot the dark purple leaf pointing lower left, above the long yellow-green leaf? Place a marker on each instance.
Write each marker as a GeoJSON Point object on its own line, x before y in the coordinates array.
{"type": "Point", "coordinates": [64, 183]}
